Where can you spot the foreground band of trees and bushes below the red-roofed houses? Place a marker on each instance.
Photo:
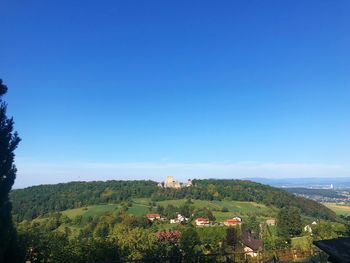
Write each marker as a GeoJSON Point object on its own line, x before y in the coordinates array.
{"type": "Point", "coordinates": [119, 237]}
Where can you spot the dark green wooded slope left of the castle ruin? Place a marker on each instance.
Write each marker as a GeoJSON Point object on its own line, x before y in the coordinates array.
{"type": "Point", "coordinates": [34, 201]}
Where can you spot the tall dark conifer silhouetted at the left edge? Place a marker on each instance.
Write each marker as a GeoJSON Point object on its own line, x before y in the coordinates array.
{"type": "Point", "coordinates": [8, 143]}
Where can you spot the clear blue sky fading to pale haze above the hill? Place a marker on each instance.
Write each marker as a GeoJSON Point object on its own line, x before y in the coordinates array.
{"type": "Point", "coordinates": [195, 89]}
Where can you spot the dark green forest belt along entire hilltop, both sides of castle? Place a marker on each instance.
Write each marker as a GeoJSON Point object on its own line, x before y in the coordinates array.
{"type": "Point", "coordinates": [34, 201]}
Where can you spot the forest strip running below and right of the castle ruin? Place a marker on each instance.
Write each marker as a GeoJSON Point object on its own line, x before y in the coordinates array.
{"type": "Point", "coordinates": [243, 190]}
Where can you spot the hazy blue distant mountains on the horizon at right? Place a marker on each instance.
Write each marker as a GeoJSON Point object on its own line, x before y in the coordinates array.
{"type": "Point", "coordinates": [315, 182]}
